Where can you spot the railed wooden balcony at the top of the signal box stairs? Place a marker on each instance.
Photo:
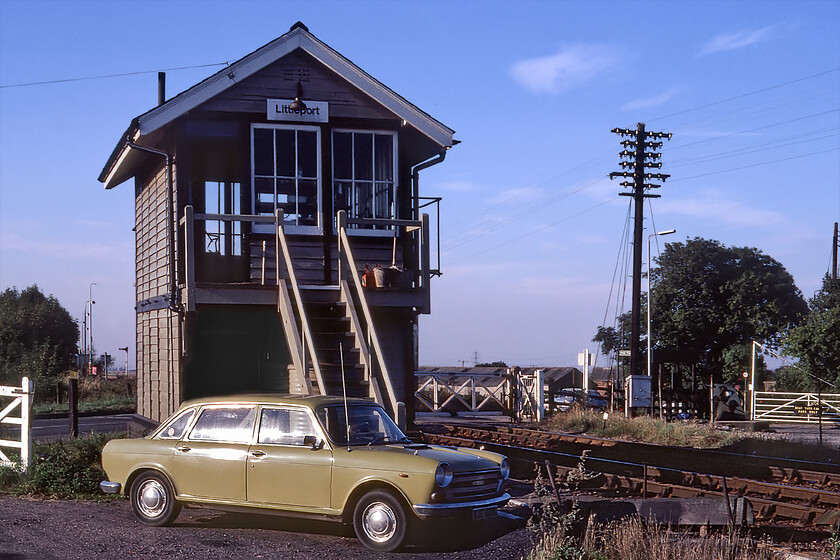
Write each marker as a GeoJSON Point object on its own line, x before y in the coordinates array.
{"type": "Point", "coordinates": [224, 263]}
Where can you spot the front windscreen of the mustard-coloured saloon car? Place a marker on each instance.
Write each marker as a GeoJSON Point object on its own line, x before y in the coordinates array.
{"type": "Point", "coordinates": [369, 425]}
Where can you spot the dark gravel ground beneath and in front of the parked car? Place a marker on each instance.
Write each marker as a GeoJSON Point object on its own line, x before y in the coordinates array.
{"type": "Point", "coordinates": [68, 530]}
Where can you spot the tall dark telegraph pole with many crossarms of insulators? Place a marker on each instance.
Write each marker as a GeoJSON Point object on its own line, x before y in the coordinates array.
{"type": "Point", "coordinates": [634, 168]}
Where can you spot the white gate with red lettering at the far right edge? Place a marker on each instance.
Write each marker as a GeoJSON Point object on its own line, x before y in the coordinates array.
{"type": "Point", "coordinates": [796, 407]}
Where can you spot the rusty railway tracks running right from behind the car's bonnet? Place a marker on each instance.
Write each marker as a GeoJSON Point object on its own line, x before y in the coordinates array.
{"type": "Point", "coordinates": [781, 491]}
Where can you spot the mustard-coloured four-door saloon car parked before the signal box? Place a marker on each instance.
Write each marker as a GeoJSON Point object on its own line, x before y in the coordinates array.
{"type": "Point", "coordinates": [305, 456]}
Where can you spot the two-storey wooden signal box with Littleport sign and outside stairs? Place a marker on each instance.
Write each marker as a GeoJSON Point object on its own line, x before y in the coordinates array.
{"type": "Point", "coordinates": [291, 146]}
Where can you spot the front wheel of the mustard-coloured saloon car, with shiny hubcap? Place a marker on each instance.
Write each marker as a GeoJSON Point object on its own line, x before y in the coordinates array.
{"type": "Point", "coordinates": [380, 521]}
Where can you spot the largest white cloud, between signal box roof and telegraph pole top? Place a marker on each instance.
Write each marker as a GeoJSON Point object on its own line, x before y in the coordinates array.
{"type": "Point", "coordinates": [565, 70]}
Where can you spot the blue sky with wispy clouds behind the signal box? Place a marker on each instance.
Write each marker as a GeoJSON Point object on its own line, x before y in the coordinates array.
{"type": "Point", "coordinates": [531, 227]}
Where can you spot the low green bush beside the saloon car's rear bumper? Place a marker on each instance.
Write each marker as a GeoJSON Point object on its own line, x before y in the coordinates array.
{"type": "Point", "coordinates": [67, 469]}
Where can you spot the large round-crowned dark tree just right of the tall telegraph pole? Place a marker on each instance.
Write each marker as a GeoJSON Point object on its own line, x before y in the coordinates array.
{"type": "Point", "coordinates": [711, 301]}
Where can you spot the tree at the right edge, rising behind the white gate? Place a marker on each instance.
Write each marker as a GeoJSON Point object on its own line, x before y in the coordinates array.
{"type": "Point", "coordinates": [816, 341]}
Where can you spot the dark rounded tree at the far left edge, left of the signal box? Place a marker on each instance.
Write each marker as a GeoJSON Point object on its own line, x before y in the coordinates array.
{"type": "Point", "coordinates": [37, 338]}
